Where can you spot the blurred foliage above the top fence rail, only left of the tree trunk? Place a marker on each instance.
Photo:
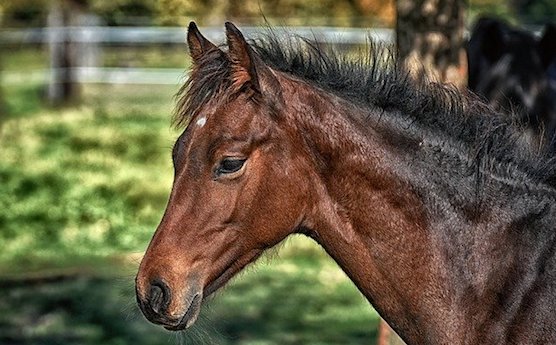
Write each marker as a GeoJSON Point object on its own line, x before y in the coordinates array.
{"type": "Point", "coordinates": [210, 12]}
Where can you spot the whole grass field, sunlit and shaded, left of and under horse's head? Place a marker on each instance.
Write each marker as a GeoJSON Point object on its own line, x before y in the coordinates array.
{"type": "Point", "coordinates": [82, 189]}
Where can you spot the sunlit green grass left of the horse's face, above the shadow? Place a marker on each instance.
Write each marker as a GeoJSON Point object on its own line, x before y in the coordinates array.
{"type": "Point", "coordinates": [91, 180]}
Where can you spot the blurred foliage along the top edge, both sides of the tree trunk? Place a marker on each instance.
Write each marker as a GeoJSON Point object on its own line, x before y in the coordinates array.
{"type": "Point", "coordinates": [357, 13]}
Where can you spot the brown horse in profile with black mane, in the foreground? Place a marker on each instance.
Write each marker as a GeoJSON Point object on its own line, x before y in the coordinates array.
{"type": "Point", "coordinates": [421, 195]}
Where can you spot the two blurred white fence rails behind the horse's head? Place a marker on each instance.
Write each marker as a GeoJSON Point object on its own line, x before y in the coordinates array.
{"type": "Point", "coordinates": [97, 36]}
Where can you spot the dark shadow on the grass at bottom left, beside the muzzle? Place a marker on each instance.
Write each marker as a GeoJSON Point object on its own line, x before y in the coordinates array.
{"type": "Point", "coordinates": [73, 310]}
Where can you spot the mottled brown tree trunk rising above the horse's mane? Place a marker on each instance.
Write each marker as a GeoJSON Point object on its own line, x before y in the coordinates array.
{"type": "Point", "coordinates": [430, 39]}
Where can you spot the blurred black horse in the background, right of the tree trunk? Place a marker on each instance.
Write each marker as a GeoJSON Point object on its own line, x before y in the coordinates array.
{"type": "Point", "coordinates": [515, 71]}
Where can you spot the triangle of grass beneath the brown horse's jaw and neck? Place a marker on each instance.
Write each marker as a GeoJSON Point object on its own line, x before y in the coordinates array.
{"type": "Point", "coordinates": [299, 298]}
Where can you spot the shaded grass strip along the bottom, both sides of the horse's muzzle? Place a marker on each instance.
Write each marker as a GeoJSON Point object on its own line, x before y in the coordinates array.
{"type": "Point", "coordinates": [263, 307]}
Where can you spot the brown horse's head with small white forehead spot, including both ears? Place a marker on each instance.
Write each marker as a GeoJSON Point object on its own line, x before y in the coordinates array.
{"type": "Point", "coordinates": [238, 188]}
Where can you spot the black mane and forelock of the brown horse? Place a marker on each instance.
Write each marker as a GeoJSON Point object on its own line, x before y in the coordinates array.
{"type": "Point", "coordinates": [375, 81]}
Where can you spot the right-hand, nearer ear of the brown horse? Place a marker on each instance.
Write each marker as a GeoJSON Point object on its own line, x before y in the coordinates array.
{"type": "Point", "coordinates": [247, 66]}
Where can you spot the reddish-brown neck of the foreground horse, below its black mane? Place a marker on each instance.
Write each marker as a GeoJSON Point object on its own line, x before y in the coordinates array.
{"type": "Point", "coordinates": [396, 232]}
